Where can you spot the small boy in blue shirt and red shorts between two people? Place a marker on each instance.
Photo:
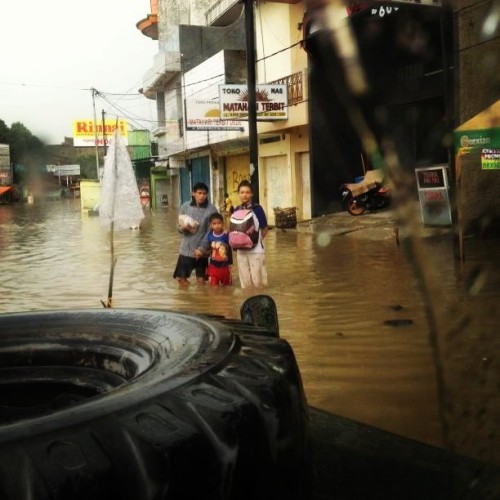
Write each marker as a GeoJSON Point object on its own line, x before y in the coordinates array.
{"type": "Point", "coordinates": [220, 256]}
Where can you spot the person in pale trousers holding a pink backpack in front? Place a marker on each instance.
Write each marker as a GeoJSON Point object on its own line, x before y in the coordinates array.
{"type": "Point", "coordinates": [251, 261]}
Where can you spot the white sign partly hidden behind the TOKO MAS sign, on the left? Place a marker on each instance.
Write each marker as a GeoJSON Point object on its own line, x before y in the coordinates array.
{"type": "Point", "coordinates": [205, 115]}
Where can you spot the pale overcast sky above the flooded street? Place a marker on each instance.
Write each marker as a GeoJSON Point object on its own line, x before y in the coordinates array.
{"type": "Point", "coordinates": [54, 51]}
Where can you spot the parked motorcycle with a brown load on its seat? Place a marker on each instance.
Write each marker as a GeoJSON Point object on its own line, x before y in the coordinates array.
{"type": "Point", "coordinates": [369, 194]}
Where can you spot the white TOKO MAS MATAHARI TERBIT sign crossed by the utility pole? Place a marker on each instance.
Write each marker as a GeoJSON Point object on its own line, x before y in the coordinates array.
{"type": "Point", "coordinates": [271, 102]}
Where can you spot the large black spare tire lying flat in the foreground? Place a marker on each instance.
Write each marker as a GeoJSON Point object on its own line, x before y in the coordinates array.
{"type": "Point", "coordinates": [140, 405]}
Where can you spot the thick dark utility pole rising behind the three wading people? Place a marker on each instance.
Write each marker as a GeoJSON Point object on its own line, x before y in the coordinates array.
{"type": "Point", "coordinates": [252, 104]}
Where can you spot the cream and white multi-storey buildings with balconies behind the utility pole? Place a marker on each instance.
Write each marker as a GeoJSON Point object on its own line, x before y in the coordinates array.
{"type": "Point", "coordinates": [209, 52]}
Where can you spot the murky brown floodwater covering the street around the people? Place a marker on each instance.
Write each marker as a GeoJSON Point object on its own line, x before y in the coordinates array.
{"type": "Point", "coordinates": [372, 343]}
